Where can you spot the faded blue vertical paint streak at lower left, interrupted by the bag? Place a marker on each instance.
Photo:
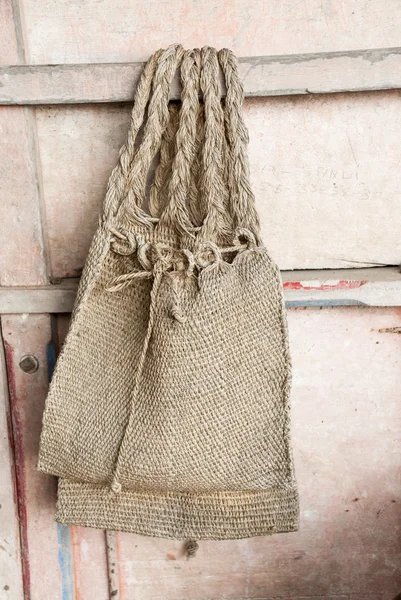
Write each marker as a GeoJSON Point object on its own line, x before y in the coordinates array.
{"type": "Point", "coordinates": [63, 531]}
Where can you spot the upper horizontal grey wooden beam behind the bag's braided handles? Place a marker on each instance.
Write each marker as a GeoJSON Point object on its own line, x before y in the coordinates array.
{"type": "Point", "coordinates": [320, 73]}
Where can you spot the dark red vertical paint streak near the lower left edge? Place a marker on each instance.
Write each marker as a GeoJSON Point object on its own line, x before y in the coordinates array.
{"type": "Point", "coordinates": [17, 445]}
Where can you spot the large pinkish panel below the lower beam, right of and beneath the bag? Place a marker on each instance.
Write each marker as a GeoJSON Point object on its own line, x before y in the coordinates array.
{"type": "Point", "coordinates": [346, 425]}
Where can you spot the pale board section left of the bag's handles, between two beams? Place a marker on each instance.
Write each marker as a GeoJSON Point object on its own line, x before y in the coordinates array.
{"type": "Point", "coordinates": [73, 194]}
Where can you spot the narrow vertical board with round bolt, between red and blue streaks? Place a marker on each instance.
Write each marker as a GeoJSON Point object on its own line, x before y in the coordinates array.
{"type": "Point", "coordinates": [36, 491]}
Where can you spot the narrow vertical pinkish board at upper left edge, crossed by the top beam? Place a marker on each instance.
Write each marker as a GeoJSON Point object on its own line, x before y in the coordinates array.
{"type": "Point", "coordinates": [21, 245]}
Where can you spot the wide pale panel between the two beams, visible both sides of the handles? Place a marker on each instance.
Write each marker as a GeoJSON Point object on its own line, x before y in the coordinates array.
{"type": "Point", "coordinates": [325, 193]}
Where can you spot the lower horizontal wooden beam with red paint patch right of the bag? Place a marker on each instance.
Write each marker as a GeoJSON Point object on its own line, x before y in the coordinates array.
{"type": "Point", "coordinates": [346, 287]}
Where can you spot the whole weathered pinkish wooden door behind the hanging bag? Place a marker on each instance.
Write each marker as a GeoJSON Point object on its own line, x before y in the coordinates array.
{"type": "Point", "coordinates": [324, 111]}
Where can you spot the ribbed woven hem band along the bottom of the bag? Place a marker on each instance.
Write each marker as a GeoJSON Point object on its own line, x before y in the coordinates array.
{"type": "Point", "coordinates": [218, 516]}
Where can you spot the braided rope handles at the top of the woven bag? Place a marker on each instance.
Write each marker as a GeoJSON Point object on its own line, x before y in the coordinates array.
{"type": "Point", "coordinates": [201, 185]}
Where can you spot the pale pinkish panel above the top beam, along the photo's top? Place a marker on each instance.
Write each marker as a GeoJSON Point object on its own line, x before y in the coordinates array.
{"type": "Point", "coordinates": [129, 30]}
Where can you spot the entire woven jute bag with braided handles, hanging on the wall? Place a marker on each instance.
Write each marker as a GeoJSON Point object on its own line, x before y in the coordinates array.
{"type": "Point", "coordinates": [168, 412]}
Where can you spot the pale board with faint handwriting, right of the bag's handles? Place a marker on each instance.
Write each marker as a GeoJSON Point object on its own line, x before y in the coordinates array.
{"type": "Point", "coordinates": [324, 173]}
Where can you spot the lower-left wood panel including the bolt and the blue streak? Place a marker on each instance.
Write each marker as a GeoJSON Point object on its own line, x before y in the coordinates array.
{"type": "Point", "coordinates": [59, 562]}
